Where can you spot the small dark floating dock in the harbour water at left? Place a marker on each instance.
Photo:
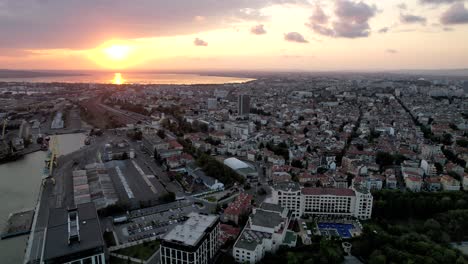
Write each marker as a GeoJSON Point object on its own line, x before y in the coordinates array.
{"type": "Point", "coordinates": [18, 224]}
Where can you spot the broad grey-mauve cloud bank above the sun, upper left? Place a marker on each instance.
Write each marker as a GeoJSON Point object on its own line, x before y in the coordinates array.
{"type": "Point", "coordinates": [88, 23]}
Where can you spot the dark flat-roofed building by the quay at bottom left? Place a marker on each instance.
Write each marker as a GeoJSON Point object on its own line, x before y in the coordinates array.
{"type": "Point", "coordinates": [74, 236]}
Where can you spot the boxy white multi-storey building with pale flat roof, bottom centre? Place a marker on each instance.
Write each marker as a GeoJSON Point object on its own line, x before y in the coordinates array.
{"type": "Point", "coordinates": [193, 242]}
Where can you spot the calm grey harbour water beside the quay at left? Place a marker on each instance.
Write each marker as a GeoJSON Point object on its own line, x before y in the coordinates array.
{"type": "Point", "coordinates": [19, 187]}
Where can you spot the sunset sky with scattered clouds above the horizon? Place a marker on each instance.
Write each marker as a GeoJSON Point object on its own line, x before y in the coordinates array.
{"type": "Point", "coordinates": [304, 35]}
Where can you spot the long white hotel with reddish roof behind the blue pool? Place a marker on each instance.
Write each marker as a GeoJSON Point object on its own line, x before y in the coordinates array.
{"type": "Point", "coordinates": [355, 202]}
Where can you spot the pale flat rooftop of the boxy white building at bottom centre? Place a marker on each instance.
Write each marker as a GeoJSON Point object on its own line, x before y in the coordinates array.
{"type": "Point", "coordinates": [191, 231]}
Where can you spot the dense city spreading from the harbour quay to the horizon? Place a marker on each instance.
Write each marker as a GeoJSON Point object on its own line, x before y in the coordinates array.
{"type": "Point", "coordinates": [302, 168]}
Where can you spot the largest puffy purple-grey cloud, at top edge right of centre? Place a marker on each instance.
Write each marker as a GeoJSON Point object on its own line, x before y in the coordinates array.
{"type": "Point", "coordinates": [352, 20]}
